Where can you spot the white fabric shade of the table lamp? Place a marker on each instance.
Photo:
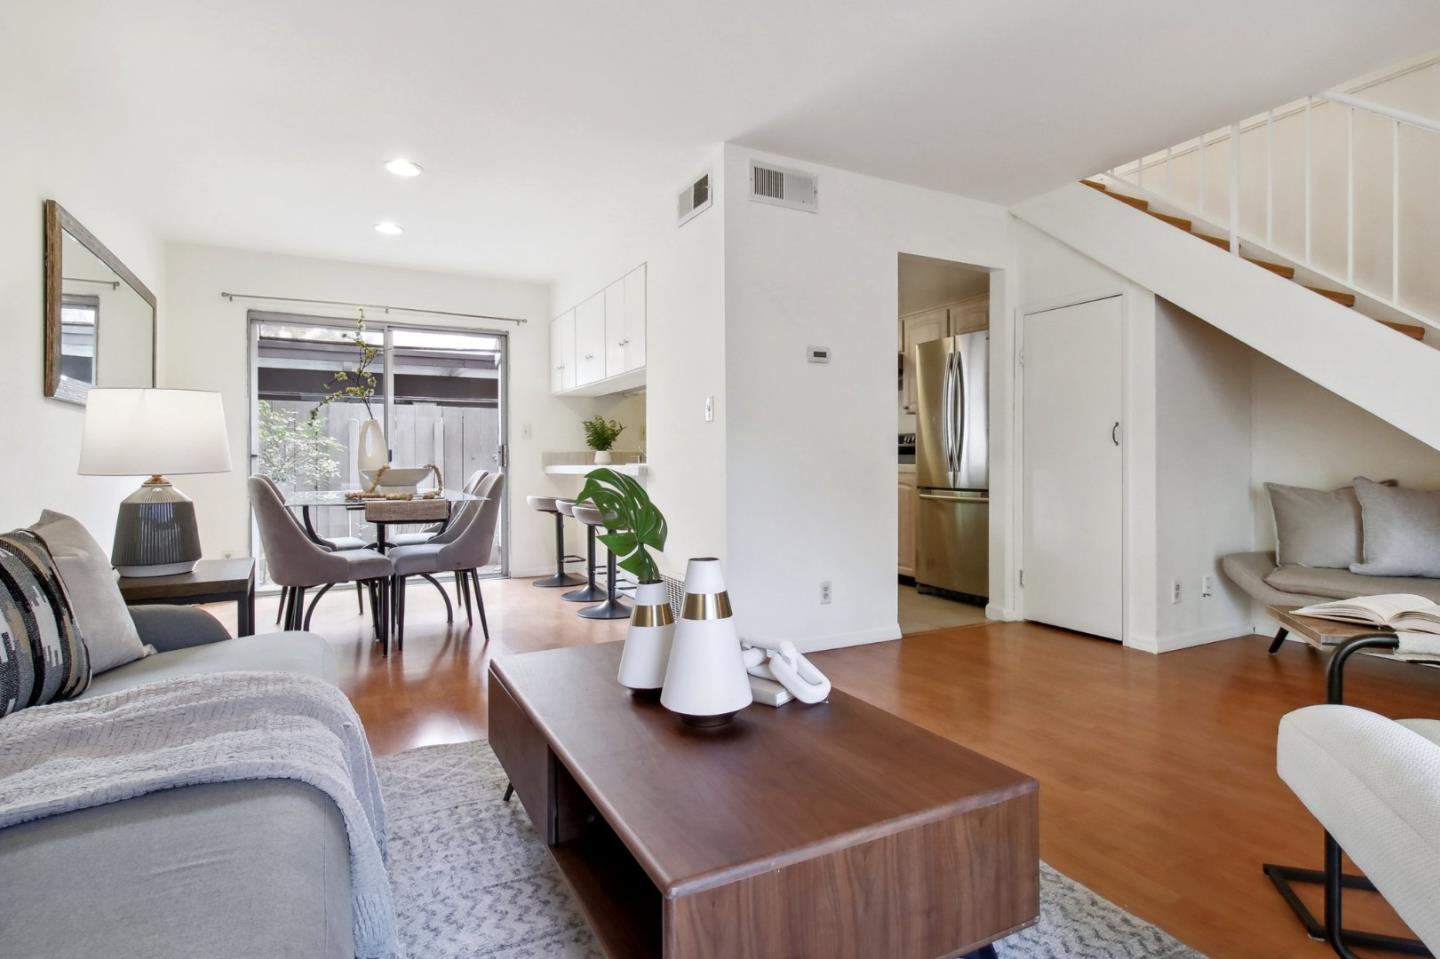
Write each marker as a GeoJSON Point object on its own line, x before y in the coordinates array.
{"type": "Point", "coordinates": [136, 433]}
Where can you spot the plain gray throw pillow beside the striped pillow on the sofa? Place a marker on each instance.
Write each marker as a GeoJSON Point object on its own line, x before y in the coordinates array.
{"type": "Point", "coordinates": [100, 610]}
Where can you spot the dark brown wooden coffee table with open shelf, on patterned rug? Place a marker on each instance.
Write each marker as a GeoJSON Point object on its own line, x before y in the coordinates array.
{"type": "Point", "coordinates": [834, 830]}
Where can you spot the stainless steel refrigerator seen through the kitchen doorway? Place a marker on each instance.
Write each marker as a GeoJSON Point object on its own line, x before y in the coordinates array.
{"type": "Point", "coordinates": [953, 466]}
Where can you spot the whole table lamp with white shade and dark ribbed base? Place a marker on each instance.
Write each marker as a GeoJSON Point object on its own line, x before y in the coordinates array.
{"type": "Point", "coordinates": [133, 433]}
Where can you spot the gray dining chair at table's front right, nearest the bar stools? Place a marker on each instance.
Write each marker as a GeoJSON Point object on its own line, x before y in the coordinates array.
{"type": "Point", "coordinates": [462, 549]}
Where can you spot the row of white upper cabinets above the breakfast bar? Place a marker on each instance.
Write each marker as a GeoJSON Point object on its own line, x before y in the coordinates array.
{"type": "Point", "coordinates": [600, 346]}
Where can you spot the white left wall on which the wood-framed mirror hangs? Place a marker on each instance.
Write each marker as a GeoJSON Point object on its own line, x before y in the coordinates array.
{"type": "Point", "coordinates": [47, 159]}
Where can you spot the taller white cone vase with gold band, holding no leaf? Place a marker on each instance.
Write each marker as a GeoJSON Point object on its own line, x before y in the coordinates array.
{"type": "Point", "coordinates": [706, 682]}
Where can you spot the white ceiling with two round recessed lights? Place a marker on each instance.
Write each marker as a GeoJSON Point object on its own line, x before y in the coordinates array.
{"type": "Point", "coordinates": [264, 123]}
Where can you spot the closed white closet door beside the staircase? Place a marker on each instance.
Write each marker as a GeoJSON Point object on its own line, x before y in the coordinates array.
{"type": "Point", "coordinates": [1074, 497]}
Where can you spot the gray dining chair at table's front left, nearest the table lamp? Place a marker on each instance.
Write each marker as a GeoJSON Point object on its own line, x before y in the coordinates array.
{"type": "Point", "coordinates": [300, 564]}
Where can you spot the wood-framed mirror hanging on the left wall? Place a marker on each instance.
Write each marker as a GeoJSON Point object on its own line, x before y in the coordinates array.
{"type": "Point", "coordinates": [100, 320]}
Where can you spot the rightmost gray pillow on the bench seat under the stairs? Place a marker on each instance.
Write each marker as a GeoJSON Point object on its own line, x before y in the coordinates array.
{"type": "Point", "coordinates": [1402, 531]}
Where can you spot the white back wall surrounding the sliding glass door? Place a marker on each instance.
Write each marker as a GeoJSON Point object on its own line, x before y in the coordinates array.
{"type": "Point", "coordinates": [207, 348]}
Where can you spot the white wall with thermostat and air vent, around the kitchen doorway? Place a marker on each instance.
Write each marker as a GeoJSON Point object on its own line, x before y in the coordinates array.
{"type": "Point", "coordinates": [811, 464]}
